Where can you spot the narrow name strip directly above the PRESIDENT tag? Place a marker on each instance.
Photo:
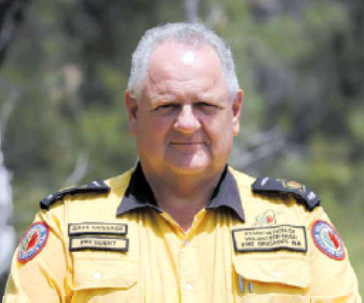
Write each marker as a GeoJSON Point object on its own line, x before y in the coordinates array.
{"type": "Point", "coordinates": [90, 228]}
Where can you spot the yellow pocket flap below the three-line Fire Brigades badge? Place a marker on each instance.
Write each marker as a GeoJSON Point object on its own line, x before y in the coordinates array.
{"type": "Point", "coordinates": [289, 270]}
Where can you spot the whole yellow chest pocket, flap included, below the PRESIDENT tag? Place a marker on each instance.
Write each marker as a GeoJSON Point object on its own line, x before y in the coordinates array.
{"type": "Point", "coordinates": [104, 280]}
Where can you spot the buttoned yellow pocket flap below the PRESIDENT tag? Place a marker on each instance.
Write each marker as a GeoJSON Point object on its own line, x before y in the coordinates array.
{"type": "Point", "coordinates": [90, 274]}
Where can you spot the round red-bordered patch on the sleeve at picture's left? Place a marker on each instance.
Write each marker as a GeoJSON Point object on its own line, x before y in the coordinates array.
{"type": "Point", "coordinates": [33, 241]}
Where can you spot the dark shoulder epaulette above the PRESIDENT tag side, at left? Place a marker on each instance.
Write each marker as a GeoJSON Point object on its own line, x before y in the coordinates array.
{"type": "Point", "coordinates": [97, 187]}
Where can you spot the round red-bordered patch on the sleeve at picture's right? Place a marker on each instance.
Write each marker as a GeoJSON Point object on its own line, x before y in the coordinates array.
{"type": "Point", "coordinates": [328, 240]}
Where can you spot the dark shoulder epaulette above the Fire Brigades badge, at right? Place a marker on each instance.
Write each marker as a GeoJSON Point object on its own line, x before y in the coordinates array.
{"type": "Point", "coordinates": [301, 192]}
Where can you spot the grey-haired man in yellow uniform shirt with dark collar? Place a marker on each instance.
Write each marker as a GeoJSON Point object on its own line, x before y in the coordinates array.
{"type": "Point", "coordinates": [182, 226]}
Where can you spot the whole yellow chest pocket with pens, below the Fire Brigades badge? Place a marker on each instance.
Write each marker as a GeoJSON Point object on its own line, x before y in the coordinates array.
{"type": "Point", "coordinates": [272, 277]}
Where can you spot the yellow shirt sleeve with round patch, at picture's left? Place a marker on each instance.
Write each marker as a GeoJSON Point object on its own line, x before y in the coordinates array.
{"type": "Point", "coordinates": [39, 268]}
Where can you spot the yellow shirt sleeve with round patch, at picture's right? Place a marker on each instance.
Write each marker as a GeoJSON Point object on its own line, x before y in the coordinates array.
{"type": "Point", "coordinates": [332, 276]}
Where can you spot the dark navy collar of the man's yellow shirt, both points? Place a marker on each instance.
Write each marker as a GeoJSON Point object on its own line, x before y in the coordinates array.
{"type": "Point", "coordinates": [140, 195]}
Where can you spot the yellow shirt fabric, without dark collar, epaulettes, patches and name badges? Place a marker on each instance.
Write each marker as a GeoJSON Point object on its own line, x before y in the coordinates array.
{"type": "Point", "coordinates": [165, 264]}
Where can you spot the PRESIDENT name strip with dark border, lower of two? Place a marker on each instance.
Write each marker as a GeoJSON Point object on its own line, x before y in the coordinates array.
{"type": "Point", "coordinates": [99, 243]}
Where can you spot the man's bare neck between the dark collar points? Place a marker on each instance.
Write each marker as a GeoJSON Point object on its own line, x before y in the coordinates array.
{"type": "Point", "coordinates": [182, 197]}
